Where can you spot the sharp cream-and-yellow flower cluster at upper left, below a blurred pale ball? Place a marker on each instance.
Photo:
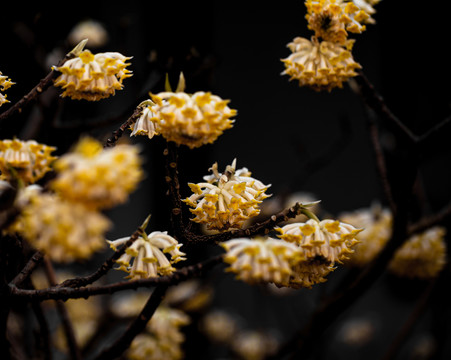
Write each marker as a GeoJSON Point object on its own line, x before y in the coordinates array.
{"type": "Point", "coordinates": [93, 77]}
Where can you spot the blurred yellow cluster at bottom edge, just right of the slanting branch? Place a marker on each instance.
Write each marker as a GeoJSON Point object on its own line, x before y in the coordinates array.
{"type": "Point", "coordinates": [163, 337]}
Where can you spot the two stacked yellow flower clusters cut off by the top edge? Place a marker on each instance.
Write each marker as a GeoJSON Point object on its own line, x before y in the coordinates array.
{"type": "Point", "coordinates": [325, 61]}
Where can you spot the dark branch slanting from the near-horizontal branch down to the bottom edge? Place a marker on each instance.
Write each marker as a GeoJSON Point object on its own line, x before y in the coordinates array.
{"type": "Point", "coordinates": [136, 327]}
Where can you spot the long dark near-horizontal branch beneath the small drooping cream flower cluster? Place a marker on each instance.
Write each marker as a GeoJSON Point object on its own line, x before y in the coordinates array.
{"type": "Point", "coordinates": [64, 293]}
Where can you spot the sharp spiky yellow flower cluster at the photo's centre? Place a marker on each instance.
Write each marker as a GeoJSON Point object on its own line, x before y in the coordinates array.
{"type": "Point", "coordinates": [226, 200]}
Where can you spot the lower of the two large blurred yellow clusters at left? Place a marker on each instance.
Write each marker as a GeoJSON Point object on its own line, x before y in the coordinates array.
{"type": "Point", "coordinates": [64, 230]}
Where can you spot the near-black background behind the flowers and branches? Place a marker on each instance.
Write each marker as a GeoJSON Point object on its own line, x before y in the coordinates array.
{"type": "Point", "coordinates": [293, 138]}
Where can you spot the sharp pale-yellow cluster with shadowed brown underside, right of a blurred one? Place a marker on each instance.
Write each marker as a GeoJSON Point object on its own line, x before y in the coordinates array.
{"type": "Point", "coordinates": [323, 244]}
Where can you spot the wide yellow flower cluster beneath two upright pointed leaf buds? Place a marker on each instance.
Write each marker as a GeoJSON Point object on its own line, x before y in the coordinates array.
{"type": "Point", "coordinates": [191, 120]}
